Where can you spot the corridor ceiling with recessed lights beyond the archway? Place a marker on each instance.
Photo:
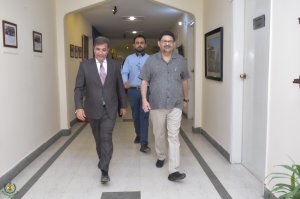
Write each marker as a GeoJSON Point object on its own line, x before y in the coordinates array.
{"type": "Point", "coordinates": [156, 18]}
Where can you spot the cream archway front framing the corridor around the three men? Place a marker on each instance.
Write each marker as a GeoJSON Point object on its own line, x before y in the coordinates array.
{"type": "Point", "coordinates": [62, 8]}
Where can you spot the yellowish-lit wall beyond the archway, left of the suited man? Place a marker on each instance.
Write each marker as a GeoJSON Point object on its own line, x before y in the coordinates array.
{"type": "Point", "coordinates": [75, 27]}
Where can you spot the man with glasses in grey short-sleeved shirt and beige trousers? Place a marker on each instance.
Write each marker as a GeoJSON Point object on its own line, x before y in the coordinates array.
{"type": "Point", "coordinates": [167, 74]}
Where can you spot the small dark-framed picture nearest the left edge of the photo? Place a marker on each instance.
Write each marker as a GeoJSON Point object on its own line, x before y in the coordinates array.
{"type": "Point", "coordinates": [10, 36]}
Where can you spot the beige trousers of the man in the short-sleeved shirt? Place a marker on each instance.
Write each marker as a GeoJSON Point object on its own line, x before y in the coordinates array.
{"type": "Point", "coordinates": [170, 120]}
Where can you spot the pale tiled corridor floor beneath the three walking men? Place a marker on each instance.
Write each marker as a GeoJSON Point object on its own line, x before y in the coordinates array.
{"type": "Point", "coordinates": [74, 174]}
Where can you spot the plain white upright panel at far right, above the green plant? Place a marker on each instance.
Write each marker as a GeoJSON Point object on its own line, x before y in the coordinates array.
{"type": "Point", "coordinates": [284, 96]}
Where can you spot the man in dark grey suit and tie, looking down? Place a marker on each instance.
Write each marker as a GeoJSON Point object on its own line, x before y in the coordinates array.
{"type": "Point", "coordinates": [99, 81]}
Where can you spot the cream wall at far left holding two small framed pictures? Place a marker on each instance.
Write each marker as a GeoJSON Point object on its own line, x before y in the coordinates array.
{"type": "Point", "coordinates": [29, 94]}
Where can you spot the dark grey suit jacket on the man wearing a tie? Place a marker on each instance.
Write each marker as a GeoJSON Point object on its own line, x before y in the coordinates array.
{"type": "Point", "coordinates": [89, 92]}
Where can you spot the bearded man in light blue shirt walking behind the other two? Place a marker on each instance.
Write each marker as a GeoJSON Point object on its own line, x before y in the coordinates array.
{"type": "Point", "coordinates": [130, 74]}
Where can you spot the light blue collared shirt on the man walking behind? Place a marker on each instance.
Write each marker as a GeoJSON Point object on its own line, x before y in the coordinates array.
{"type": "Point", "coordinates": [132, 68]}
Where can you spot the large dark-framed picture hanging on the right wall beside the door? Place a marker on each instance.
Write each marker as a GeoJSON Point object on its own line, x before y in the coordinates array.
{"type": "Point", "coordinates": [214, 54]}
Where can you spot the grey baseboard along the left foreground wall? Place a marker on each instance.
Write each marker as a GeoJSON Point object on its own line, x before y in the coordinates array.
{"type": "Point", "coordinates": [11, 174]}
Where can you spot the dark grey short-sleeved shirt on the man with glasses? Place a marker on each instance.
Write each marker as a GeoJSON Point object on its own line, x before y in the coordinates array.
{"type": "Point", "coordinates": [165, 80]}
